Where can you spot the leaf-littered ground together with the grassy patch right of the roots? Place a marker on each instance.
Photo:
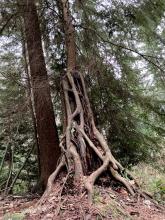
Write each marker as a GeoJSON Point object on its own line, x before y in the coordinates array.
{"type": "Point", "coordinates": [110, 201]}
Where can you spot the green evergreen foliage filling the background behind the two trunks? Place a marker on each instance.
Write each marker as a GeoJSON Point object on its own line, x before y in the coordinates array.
{"type": "Point", "coordinates": [121, 53]}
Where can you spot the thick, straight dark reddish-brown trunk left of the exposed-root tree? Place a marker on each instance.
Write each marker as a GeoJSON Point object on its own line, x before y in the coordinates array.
{"type": "Point", "coordinates": [46, 127]}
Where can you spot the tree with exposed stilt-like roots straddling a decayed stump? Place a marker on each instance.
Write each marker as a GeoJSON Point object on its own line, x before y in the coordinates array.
{"type": "Point", "coordinates": [84, 149]}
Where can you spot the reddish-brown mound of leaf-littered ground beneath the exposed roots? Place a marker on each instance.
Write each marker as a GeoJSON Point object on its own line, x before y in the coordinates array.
{"type": "Point", "coordinates": [109, 203]}
